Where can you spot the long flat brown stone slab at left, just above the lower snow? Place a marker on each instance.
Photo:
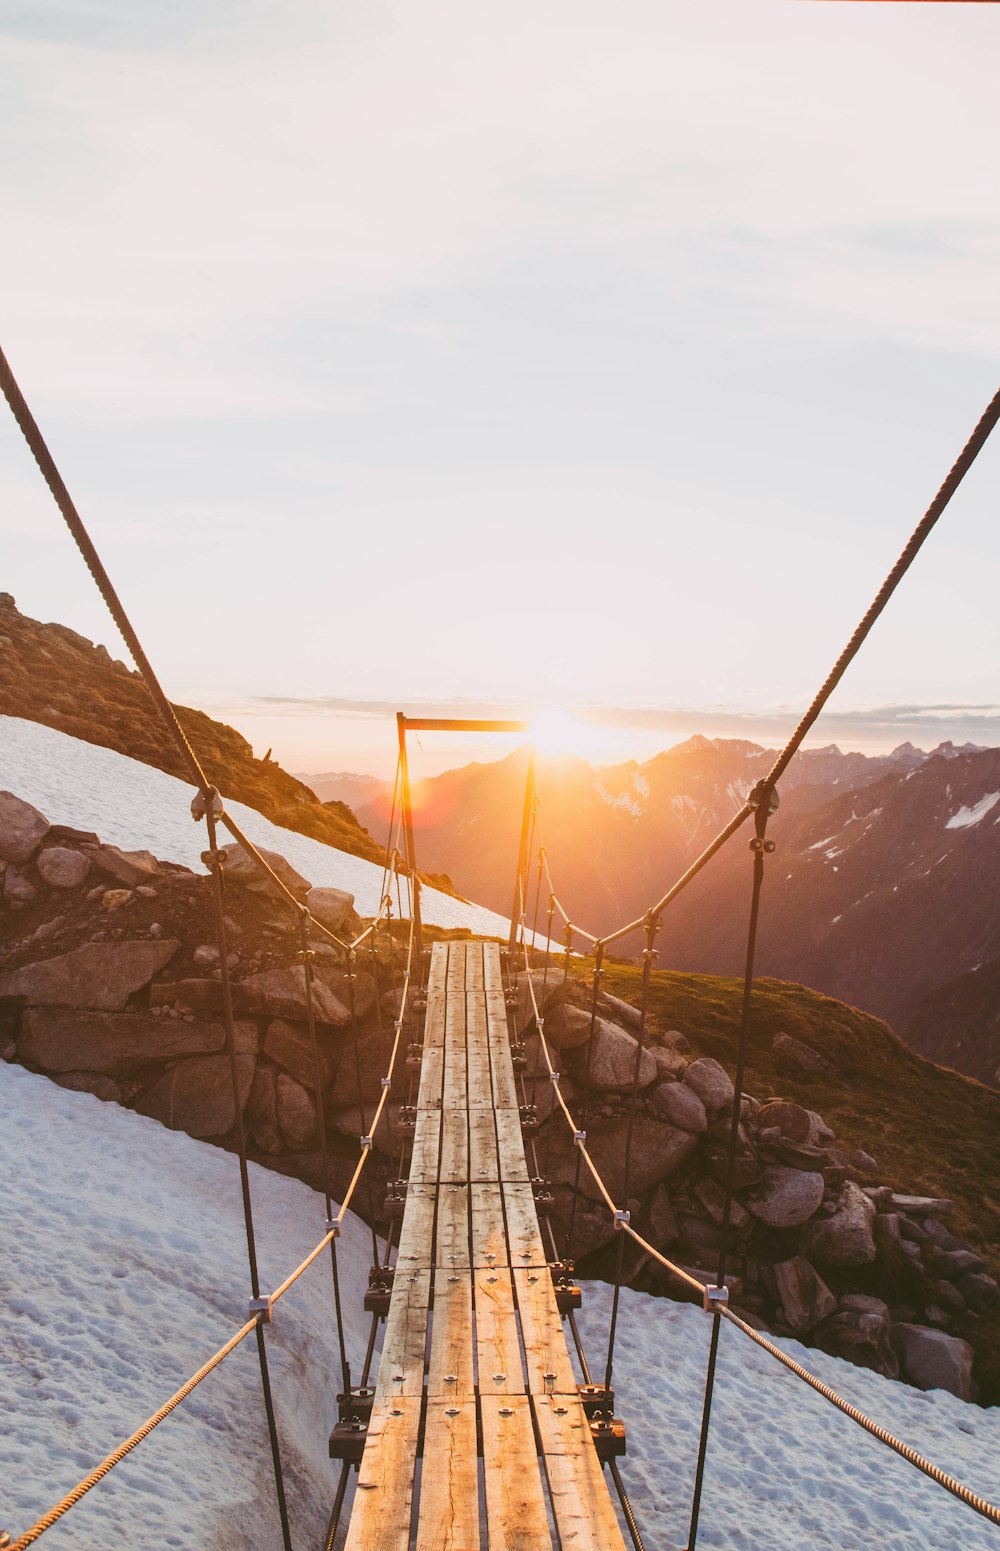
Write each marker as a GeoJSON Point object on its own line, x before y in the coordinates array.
{"type": "Point", "coordinates": [66, 1040]}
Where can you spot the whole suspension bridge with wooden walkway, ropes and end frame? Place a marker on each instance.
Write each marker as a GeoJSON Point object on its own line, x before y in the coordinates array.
{"type": "Point", "coordinates": [484, 1429]}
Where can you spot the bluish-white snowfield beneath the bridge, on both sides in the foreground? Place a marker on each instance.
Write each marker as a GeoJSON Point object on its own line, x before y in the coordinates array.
{"type": "Point", "coordinates": [125, 1268]}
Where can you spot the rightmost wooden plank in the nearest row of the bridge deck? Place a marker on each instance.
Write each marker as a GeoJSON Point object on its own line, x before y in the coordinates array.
{"type": "Point", "coordinates": [581, 1502]}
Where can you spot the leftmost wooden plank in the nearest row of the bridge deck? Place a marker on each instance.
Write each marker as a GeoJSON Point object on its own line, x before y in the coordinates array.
{"type": "Point", "coordinates": [384, 1502]}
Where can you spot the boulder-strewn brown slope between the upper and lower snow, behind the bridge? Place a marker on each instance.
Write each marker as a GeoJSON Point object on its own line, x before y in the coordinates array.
{"type": "Point", "coordinates": [111, 984]}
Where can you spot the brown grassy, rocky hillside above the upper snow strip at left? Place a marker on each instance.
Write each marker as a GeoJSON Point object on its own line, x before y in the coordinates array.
{"type": "Point", "coordinates": [50, 674]}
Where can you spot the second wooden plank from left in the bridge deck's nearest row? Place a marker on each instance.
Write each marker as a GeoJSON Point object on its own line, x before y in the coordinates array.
{"type": "Point", "coordinates": [449, 1518]}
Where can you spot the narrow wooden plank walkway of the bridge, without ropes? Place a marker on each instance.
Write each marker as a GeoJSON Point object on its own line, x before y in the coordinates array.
{"type": "Point", "coordinates": [478, 1439]}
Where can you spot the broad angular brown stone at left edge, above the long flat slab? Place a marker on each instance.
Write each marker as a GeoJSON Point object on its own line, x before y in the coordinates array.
{"type": "Point", "coordinates": [100, 976]}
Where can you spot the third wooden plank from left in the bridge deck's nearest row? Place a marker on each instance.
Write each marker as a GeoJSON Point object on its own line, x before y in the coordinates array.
{"type": "Point", "coordinates": [517, 1519]}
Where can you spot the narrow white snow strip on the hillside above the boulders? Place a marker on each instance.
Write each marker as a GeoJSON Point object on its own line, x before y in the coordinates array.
{"type": "Point", "coordinates": [143, 809]}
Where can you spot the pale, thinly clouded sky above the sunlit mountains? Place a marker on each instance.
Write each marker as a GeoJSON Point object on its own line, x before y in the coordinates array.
{"type": "Point", "coordinates": [547, 356]}
